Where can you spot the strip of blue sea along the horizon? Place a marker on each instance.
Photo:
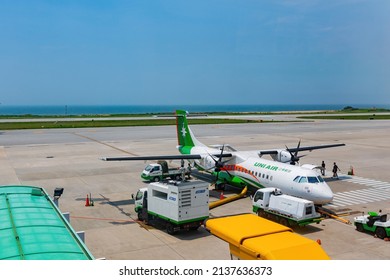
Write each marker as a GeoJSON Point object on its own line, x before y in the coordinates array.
{"type": "Point", "coordinates": [65, 110]}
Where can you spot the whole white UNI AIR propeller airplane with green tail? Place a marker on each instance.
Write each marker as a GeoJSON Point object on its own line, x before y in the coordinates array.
{"type": "Point", "coordinates": [249, 168]}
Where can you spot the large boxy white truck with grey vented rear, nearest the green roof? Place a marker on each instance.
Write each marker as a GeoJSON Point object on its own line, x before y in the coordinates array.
{"type": "Point", "coordinates": [176, 205]}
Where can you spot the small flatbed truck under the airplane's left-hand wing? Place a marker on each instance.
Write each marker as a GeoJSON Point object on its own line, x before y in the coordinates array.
{"type": "Point", "coordinates": [159, 171]}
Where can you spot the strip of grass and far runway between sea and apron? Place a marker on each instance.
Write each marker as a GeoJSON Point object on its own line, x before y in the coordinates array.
{"type": "Point", "coordinates": [89, 121]}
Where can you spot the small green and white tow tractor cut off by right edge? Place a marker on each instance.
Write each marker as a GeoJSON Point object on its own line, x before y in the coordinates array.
{"type": "Point", "coordinates": [374, 222]}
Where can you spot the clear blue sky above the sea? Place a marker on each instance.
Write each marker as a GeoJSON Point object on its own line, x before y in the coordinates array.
{"type": "Point", "coordinates": [194, 52]}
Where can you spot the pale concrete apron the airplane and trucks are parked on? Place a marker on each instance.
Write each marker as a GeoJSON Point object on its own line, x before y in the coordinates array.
{"type": "Point", "coordinates": [70, 158]}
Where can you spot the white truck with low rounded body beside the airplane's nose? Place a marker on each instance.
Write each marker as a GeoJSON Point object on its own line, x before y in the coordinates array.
{"type": "Point", "coordinates": [287, 210]}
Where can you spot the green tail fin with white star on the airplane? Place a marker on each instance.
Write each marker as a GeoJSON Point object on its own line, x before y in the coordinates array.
{"type": "Point", "coordinates": [185, 137]}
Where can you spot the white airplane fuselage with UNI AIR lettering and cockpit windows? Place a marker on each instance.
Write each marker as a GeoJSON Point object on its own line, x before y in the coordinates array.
{"type": "Point", "coordinates": [247, 168]}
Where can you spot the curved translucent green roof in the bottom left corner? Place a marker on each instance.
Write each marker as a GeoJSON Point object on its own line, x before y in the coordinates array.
{"type": "Point", "coordinates": [33, 228]}
